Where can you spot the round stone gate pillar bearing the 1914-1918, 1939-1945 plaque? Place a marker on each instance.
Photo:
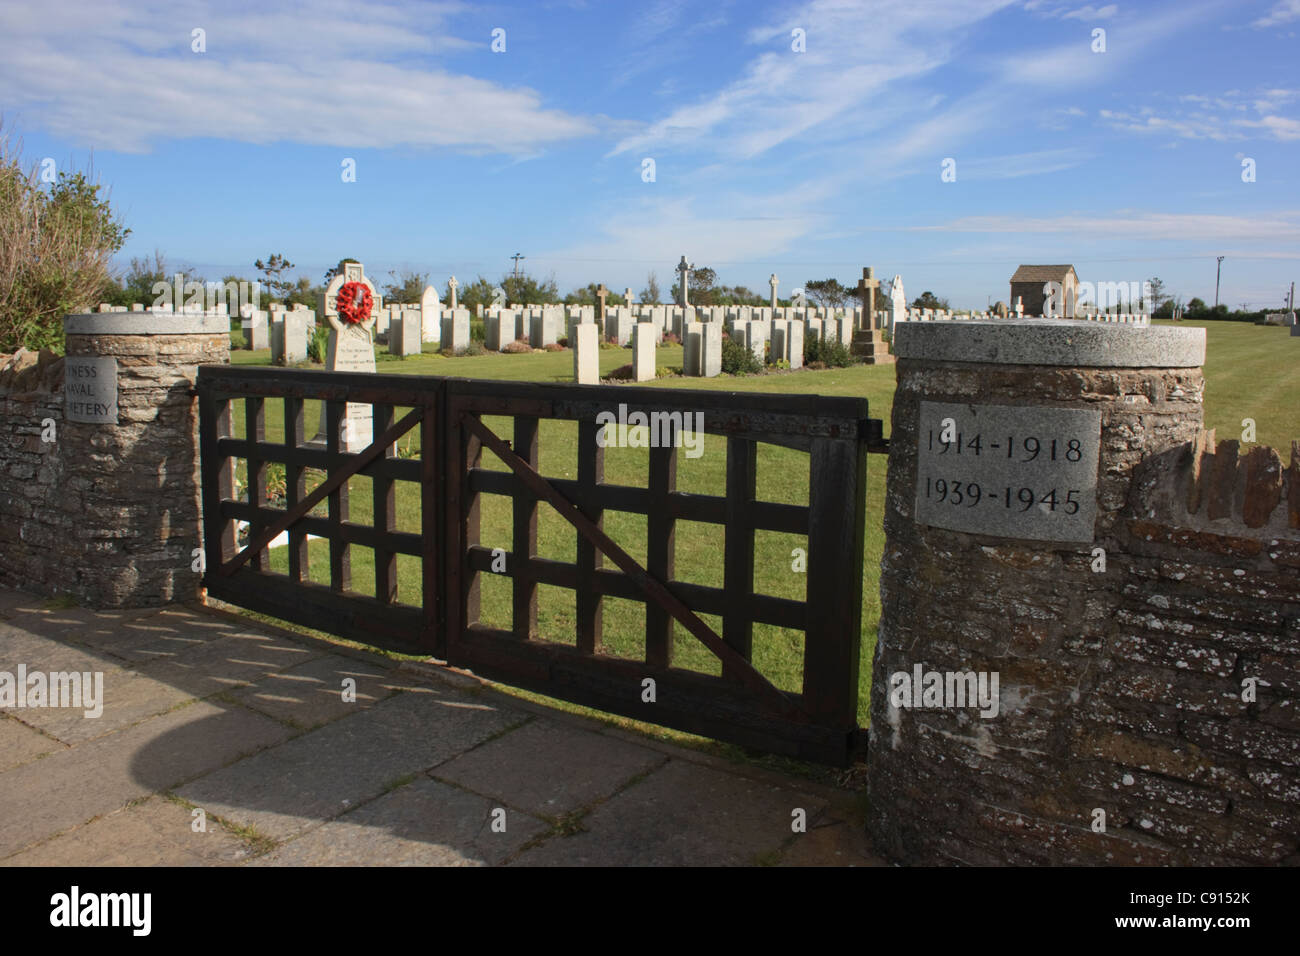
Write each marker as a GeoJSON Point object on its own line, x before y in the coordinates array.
{"type": "Point", "coordinates": [1012, 456]}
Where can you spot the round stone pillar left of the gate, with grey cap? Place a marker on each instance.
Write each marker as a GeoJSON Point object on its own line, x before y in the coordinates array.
{"type": "Point", "coordinates": [129, 447]}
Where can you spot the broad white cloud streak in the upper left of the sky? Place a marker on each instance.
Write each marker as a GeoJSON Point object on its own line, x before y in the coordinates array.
{"type": "Point", "coordinates": [354, 75]}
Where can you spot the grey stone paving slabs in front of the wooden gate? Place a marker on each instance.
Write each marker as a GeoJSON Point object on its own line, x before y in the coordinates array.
{"type": "Point", "coordinates": [226, 742]}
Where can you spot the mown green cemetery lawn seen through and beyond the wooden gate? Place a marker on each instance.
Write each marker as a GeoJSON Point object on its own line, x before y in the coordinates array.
{"type": "Point", "coordinates": [1251, 373]}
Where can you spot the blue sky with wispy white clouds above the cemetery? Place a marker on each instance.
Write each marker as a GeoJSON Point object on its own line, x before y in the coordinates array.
{"type": "Point", "coordinates": [1126, 163]}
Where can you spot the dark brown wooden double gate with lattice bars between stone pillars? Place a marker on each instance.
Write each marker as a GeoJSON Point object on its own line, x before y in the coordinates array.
{"type": "Point", "coordinates": [449, 466]}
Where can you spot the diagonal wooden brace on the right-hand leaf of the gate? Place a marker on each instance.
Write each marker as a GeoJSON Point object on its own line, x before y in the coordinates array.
{"type": "Point", "coordinates": [655, 589]}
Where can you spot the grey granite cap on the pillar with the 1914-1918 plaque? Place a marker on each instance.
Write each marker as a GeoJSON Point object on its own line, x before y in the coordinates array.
{"type": "Point", "coordinates": [1052, 343]}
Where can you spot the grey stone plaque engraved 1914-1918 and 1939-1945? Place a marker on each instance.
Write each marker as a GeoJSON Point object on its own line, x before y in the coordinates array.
{"type": "Point", "coordinates": [1008, 471]}
